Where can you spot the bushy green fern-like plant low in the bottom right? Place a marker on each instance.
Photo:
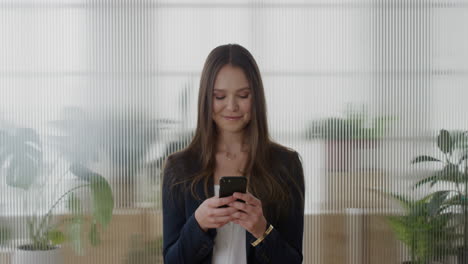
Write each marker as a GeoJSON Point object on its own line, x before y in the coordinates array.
{"type": "Point", "coordinates": [425, 228]}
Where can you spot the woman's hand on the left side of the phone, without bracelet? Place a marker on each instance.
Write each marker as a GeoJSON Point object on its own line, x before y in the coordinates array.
{"type": "Point", "coordinates": [208, 215]}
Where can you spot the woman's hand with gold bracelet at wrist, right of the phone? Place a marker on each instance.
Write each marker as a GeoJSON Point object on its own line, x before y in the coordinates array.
{"type": "Point", "coordinates": [250, 214]}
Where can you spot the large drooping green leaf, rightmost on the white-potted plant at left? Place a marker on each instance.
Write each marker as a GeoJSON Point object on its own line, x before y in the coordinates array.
{"type": "Point", "coordinates": [101, 192]}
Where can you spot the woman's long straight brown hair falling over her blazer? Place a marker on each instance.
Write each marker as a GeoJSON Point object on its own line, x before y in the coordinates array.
{"type": "Point", "coordinates": [263, 183]}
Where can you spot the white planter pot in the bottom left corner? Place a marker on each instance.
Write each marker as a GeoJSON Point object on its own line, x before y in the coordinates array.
{"type": "Point", "coordinates": [53, 256]}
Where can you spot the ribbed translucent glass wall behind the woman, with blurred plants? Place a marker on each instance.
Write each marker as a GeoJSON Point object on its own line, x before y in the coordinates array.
{"type": "Point", "coordinates": [95, 94]}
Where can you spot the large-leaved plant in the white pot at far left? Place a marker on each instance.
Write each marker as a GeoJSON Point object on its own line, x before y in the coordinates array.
{"type": "Point", "coordinates": [21, 155]}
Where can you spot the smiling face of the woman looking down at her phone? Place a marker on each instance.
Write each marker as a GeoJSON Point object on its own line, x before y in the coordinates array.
{"type": "Point", "coordinates": [232, 99]}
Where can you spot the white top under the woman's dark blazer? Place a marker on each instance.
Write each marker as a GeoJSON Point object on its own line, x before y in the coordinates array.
{"type": "Point", "coordinates": [229, 246]}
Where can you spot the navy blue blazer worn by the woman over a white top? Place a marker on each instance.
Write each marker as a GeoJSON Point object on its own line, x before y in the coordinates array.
{"type": "Point", "coordinates": [185, 242]}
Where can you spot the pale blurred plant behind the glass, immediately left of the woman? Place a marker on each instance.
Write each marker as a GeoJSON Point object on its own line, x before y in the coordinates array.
{"type": "Point", "coordinates": [124, 136]}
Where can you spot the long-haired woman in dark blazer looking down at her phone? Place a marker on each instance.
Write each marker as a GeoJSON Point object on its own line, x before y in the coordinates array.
{"type": "Point", "coordinates": [232, 139]}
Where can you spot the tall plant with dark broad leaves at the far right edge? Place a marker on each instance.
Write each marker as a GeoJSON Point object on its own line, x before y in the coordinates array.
{"type": "Point", "coordinates": [454, 170]}
